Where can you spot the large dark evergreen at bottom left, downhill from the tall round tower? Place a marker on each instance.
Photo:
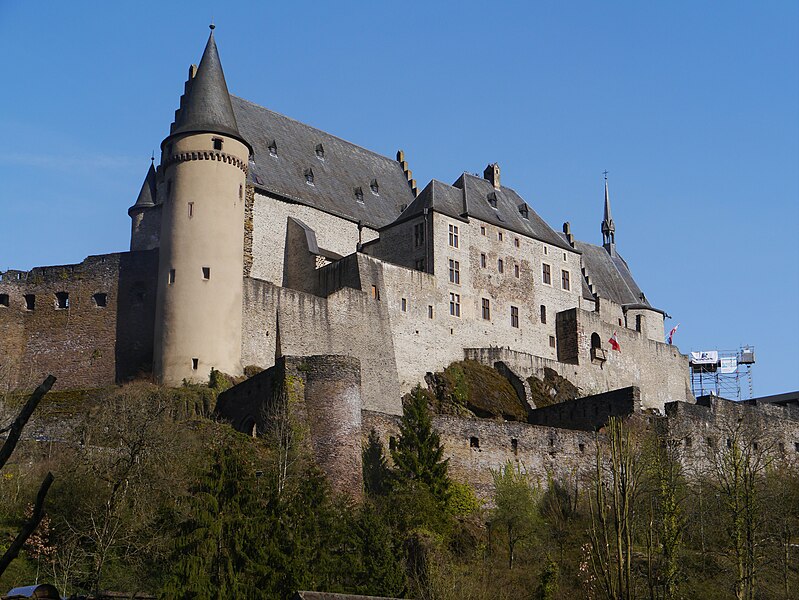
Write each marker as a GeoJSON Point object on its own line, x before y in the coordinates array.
{"type": "Point", "coordinates": [211, 554]}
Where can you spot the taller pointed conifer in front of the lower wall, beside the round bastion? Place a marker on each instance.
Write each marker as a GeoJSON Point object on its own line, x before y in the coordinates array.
{"type": "Point", "coordinates": [418, 454]}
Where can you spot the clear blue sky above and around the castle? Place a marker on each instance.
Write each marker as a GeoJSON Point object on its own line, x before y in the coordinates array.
{"type": "Point", "coordinates": [692, 107]}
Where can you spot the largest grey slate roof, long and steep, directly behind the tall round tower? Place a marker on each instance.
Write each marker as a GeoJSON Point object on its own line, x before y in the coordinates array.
{"type": "Point", "coordinates": [344, 167]}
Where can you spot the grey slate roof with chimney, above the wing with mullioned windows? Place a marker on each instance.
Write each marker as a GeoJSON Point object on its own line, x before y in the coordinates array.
{"type": "Point", "coordinates": [469, 196]}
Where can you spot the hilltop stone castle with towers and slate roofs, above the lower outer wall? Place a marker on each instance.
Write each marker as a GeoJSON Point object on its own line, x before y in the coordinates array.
{"type": "Point", "coordinates": [256, 236]}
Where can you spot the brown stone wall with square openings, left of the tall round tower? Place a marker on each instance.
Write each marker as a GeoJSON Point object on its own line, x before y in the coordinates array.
{"type": "Point", "coordinates": [100, 331]}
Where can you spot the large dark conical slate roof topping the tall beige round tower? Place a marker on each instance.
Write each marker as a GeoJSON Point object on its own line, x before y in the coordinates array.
{"type": "Point", "coordinates": [207, 106]}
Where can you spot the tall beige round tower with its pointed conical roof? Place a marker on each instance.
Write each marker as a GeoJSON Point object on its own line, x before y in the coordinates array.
{"type": "Point", "coordinates": [204, 162]}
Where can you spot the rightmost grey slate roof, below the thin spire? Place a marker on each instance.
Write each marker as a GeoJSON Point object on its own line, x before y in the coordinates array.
{"type": "Point", "coordinates": [610, 276]}
